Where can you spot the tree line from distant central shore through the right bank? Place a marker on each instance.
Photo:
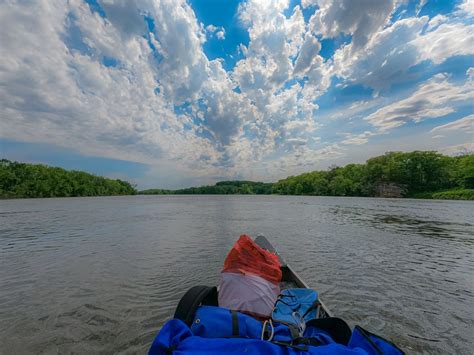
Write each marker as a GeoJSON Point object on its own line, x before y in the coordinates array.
{"type": "Point", "coordinates": [424, 174]}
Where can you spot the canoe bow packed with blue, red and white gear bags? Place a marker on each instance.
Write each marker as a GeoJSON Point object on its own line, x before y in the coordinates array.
{"type": "Point", "coordinates": [261, 307]}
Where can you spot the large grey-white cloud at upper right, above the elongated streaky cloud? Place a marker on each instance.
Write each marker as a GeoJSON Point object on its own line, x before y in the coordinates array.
{"type": "Point", "coordinates": [391, 52]}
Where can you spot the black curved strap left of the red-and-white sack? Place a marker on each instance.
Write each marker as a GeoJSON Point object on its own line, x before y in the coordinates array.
{"type": "Point", "coordinates": [192, 299]}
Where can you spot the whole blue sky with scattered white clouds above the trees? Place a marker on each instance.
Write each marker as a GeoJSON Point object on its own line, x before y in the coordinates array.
{"type": "Point", "coordinates": [175, 93]}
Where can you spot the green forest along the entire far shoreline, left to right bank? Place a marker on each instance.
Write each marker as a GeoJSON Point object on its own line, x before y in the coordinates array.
{"type": "Point", "coordinates": [418, 174]}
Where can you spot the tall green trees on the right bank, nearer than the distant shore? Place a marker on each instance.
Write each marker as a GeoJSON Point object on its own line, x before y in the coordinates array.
{"type": "Point", "coordinates": [414, 173]}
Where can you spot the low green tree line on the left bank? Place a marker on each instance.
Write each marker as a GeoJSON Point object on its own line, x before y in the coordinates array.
{"type": "Point", "coordinates": [21, 180]}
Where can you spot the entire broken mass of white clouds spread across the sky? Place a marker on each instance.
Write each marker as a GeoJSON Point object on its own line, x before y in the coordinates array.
{"type": "Point", "coordinates": [136, 84]}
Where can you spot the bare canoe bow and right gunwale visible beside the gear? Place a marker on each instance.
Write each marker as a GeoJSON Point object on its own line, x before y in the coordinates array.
{"type": "Point", "coordinates": [290, 279]}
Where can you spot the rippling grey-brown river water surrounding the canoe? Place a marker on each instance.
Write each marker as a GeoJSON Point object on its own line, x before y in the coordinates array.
{"type": "Point", "coordinates": [101, 275]}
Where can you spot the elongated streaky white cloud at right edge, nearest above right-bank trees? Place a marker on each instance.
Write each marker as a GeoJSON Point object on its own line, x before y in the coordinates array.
{"type": "Point", "coordinates": [436, 97]}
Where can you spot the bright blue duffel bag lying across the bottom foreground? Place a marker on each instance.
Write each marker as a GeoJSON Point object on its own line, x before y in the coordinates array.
{"type": "Point", "coordinates": [219, 331]}
